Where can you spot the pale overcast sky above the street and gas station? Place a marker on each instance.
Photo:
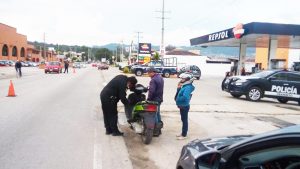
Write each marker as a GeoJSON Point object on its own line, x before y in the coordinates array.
{"type": "Point", "coordinates": [98, 22]}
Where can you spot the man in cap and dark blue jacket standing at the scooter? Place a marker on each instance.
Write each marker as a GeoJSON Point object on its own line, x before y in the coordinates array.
{"type": "Point", "coordinates": [155, 93]}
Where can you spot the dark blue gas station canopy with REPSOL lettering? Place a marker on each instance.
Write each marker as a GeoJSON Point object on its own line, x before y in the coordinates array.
{"type": "Point", "coordinates": [254, 34]}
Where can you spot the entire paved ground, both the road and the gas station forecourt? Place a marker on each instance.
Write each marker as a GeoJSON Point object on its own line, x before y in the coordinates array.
{"type": "Point", "coordinates": [56, 122]}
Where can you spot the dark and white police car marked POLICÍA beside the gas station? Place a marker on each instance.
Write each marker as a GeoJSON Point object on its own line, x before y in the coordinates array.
{"type": "Point", "coordinates": [279, 84]}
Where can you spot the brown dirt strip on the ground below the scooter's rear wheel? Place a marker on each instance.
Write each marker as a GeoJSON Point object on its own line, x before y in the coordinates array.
{"type": "Point", "coordinates": [137, 150]}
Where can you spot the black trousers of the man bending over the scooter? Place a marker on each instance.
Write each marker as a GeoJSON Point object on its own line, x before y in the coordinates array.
{"type": "Point", "coordinates": [110, 115]}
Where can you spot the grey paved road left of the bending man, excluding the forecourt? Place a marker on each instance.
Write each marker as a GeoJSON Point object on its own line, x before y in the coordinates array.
{"type": "Point", "coordinates": [55, 122]}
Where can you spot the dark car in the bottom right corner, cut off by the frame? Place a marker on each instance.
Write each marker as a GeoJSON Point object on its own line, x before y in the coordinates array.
{"type": "Point", "coordinates": [279, 149]}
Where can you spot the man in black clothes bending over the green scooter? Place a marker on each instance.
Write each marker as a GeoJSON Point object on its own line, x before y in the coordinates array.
{"type": "Point", "coordinates": [114, 91]}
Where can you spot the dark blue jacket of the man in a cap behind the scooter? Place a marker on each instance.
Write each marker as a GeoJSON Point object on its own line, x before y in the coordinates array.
{"type": "Point", "coordinates": [156, 88]}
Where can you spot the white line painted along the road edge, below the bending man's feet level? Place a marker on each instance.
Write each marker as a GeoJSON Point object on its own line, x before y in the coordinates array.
{"type": "Point", "coordinates": [97, 151]}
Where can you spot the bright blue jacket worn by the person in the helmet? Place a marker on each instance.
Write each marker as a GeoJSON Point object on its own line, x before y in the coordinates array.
{"type": "Point", "coordinates": [184, 95]}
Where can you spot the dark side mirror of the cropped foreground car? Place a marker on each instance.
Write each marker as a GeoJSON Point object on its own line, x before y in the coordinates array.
{"type": "Point", "coordinates": [210, 160]}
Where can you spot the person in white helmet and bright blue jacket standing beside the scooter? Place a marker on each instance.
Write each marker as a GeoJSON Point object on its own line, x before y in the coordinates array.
{"type": "Point", "coordinates": [183, 97]}
